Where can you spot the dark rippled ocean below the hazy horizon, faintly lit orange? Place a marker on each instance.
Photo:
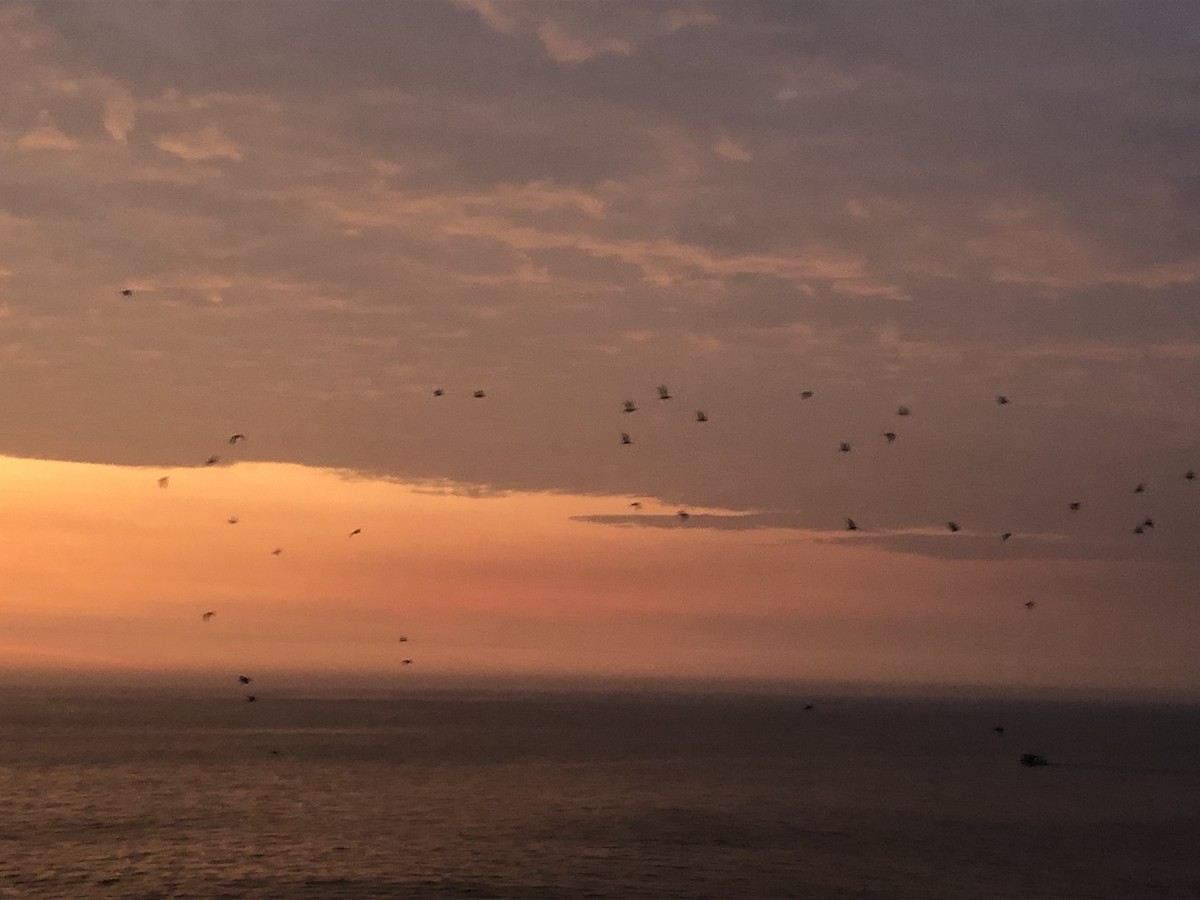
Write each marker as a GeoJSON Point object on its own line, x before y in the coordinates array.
{"type": "Point", "coordinates": [467, 794]}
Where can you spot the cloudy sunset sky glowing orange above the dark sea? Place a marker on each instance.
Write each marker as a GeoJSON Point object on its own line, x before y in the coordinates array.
{"type": "Point", "coordinates": [325, 212]}
